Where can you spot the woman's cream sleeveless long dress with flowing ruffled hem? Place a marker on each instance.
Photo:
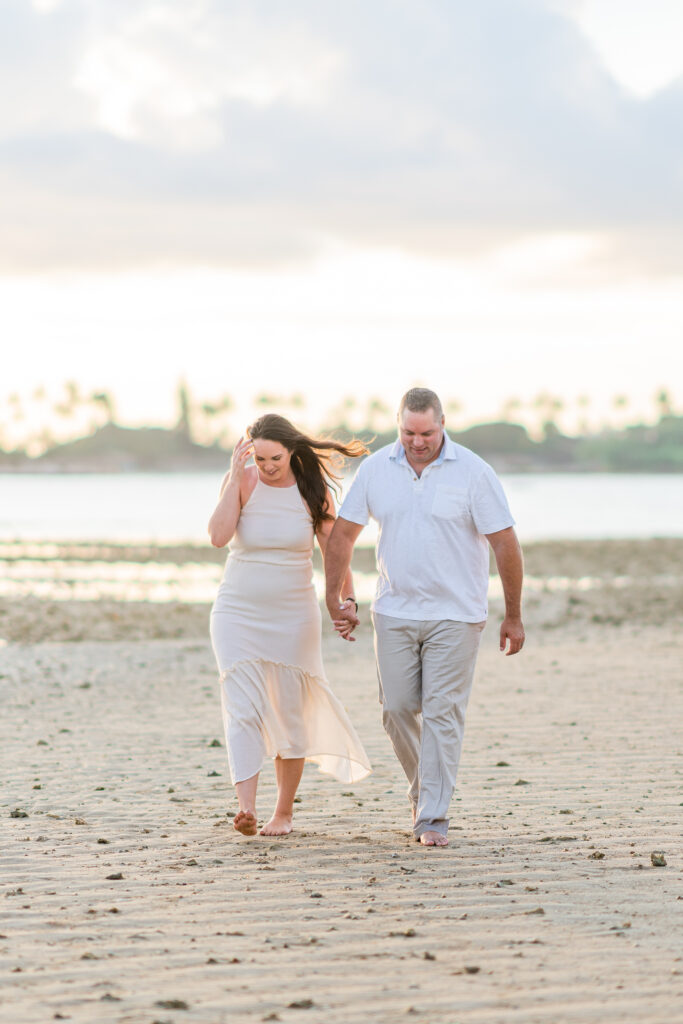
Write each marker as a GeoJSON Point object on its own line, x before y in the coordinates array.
{"type": "Point", "coordinates": [266, 631]}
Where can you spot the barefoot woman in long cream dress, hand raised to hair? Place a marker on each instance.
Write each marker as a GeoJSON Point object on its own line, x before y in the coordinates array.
{"type": "Point", "coordinates": [266, 623]}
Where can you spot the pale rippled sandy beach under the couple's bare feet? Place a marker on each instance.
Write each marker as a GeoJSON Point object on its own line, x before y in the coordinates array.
{"type": "Point", "coordinates": [127, 897]}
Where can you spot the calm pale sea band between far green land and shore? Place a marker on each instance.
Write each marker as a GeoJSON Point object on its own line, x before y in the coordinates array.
{"type": "Point", "coordinates": [176, 507]}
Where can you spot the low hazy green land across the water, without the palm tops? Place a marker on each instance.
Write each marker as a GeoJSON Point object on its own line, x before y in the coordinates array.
{"type": "Point", "coordinates": [508, 447]}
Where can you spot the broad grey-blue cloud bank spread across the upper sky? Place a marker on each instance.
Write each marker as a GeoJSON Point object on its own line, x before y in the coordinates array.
{"type": "Point", "coordinates": [217, 133]}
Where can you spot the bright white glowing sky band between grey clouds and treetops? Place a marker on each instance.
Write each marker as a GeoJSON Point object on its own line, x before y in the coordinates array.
{"type": "Point", "coordinates": [360, 323]}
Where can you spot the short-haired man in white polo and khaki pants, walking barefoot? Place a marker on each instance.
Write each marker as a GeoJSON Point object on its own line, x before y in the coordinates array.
{"type": "Point", "coordinates": [439, 506]}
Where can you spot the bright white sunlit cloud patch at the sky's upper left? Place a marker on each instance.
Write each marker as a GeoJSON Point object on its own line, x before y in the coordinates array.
{"type": "Point", "coordinates": [161, 74]}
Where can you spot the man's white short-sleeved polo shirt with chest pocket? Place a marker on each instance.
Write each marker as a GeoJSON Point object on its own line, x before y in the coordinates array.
{"type": "Point", "coordinates": [433, 556]}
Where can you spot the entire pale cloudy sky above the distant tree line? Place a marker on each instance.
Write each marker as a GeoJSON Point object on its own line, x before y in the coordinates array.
{"type": "Point", "coordinates": [337, 200]}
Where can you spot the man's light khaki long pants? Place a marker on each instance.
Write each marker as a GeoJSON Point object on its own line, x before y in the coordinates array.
{"type": "Point", "coordinates": [425, 672]}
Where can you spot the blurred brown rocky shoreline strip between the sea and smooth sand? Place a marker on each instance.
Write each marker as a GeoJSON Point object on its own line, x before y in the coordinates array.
{"type": "Point", "coordinates": [572, 586]}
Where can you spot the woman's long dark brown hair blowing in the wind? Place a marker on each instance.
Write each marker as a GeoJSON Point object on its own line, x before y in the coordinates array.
{"type": "Point", "coordinates": [314, 460]}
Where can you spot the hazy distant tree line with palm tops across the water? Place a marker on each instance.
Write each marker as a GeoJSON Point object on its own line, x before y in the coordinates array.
{"type": "Point", "coordinates": [204, 432]}
